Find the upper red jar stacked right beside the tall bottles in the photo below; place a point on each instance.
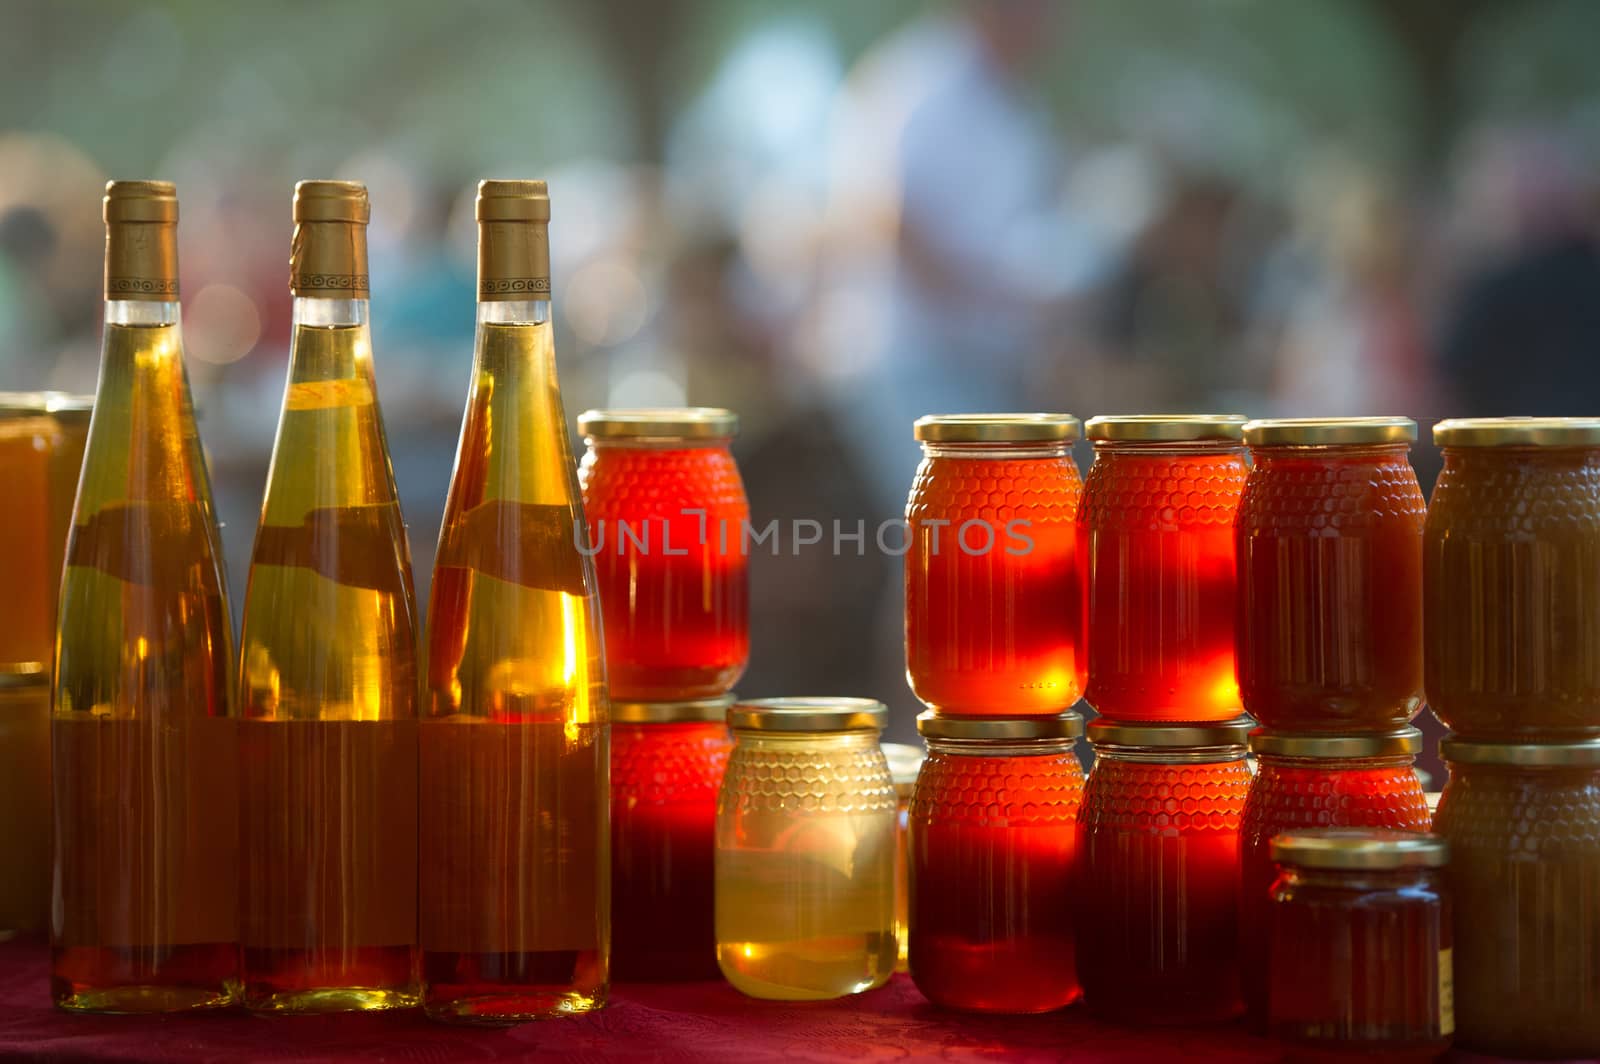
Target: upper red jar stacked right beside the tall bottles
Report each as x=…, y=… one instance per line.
x=666, y=518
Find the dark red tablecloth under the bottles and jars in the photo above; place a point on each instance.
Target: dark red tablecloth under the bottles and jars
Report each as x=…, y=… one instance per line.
x=703, y=1022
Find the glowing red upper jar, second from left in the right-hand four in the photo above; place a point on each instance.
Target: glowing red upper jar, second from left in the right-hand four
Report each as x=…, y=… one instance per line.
x=1156, y=530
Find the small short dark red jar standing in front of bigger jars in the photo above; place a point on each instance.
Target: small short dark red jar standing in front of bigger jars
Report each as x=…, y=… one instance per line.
x=1359, y=946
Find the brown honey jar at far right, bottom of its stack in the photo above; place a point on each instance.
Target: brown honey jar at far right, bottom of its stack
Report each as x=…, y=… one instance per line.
x=1524, y=830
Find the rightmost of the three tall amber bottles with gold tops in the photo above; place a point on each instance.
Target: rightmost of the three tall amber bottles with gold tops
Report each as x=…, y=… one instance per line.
x=516, y=746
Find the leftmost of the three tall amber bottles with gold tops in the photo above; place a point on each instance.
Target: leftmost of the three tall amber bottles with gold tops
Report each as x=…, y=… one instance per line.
x=145, y=911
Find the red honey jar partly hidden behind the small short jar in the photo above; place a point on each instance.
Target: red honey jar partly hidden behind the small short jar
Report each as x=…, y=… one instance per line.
x=1313, y=782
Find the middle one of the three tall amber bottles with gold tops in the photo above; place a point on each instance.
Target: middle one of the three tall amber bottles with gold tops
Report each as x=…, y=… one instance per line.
x=329, y=679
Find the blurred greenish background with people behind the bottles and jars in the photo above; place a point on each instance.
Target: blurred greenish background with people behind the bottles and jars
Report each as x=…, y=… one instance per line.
x=836, y=217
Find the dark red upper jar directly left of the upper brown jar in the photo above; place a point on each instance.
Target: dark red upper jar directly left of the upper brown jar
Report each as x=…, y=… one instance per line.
x=1330, y=575
